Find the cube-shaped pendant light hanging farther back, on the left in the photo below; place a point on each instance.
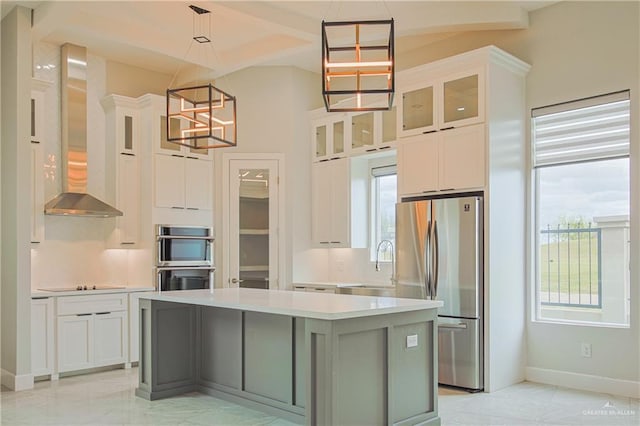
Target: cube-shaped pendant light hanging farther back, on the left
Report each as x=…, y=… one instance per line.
x=201, y=116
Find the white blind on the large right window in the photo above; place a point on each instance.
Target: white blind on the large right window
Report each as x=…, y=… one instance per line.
x=585, y=130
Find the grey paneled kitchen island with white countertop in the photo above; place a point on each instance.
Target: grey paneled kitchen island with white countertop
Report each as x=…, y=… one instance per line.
x=310, y=358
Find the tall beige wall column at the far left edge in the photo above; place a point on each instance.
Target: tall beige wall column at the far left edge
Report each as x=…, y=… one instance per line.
x=16, y=183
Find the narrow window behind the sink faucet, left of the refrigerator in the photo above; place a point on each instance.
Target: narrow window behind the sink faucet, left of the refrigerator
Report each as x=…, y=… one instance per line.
x=383, y=210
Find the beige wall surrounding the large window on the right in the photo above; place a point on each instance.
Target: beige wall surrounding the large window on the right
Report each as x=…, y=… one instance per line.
x=580, y=50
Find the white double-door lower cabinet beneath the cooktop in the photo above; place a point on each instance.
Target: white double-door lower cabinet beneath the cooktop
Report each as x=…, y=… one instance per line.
x=92, y=331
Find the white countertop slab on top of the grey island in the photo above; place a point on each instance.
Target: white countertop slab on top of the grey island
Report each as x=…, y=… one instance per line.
x=292, y=303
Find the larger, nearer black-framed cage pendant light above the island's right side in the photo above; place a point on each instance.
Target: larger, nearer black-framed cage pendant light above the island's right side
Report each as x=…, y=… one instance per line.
x=358, y=69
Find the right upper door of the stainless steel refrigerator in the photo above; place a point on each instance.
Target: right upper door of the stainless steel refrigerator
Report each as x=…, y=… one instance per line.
x=457, y=259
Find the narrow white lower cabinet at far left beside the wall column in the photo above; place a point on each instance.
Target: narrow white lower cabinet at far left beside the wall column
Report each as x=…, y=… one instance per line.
x=42, y=336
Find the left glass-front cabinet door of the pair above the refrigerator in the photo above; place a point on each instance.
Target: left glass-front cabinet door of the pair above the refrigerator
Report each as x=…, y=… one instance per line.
x=417, y=111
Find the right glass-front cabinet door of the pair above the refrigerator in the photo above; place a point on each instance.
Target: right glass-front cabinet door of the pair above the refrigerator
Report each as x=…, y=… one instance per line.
x=462, y=100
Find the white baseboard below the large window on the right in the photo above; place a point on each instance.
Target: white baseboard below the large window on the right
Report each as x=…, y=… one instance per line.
x=628, y=388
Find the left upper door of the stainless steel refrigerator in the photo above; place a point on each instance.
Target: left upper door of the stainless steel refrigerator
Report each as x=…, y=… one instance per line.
x=412, y=223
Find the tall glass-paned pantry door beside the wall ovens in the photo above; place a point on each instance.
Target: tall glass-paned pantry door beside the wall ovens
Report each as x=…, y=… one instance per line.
x=253, y=219
